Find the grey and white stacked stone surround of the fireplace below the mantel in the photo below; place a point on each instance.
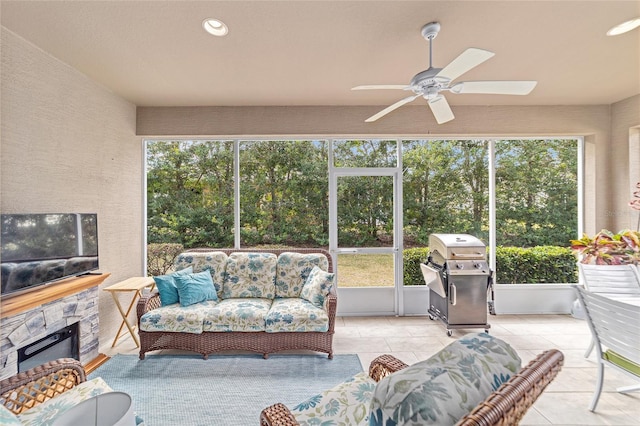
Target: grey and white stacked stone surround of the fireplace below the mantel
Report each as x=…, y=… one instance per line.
x=27, y=327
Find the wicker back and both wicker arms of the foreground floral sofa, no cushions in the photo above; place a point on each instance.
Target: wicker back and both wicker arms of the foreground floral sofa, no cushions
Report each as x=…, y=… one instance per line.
x=506, y=406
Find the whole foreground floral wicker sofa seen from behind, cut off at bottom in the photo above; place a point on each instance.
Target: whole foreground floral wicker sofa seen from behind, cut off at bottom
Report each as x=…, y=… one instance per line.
x=476, y=380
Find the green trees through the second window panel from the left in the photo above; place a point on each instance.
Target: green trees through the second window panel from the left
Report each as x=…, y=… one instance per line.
x=284, y=192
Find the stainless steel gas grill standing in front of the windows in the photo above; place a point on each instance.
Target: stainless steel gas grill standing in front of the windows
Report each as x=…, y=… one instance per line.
x=459, y=281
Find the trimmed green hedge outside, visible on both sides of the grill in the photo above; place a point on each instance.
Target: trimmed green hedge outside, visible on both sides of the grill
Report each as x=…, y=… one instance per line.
x=515, y=265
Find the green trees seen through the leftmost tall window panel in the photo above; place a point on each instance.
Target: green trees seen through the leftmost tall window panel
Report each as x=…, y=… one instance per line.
x=190, y=193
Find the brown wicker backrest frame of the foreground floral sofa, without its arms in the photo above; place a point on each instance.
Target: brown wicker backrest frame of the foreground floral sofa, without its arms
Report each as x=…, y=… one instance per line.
x=509, y=403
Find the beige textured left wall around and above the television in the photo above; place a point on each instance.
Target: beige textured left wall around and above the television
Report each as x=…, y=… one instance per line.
x=69, y=145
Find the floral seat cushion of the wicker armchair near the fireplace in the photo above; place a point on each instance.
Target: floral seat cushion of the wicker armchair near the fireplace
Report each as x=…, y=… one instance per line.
x=44, y=414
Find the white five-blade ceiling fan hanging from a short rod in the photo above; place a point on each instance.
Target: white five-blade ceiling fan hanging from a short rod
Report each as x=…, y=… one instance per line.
x=431, y=82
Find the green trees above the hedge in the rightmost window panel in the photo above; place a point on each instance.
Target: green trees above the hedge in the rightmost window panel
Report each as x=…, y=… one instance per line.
x=536, y=197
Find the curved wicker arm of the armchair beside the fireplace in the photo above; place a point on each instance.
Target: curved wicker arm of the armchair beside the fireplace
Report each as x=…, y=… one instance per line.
x=29, y=388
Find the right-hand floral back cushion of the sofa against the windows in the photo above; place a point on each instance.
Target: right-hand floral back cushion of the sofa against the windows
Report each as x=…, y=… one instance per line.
x=293, y=269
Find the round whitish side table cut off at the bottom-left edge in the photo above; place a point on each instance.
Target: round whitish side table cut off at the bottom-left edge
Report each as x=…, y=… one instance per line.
x=106, y=409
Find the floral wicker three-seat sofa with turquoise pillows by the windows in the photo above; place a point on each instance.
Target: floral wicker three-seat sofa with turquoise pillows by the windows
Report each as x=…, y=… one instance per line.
x=241, y=299
